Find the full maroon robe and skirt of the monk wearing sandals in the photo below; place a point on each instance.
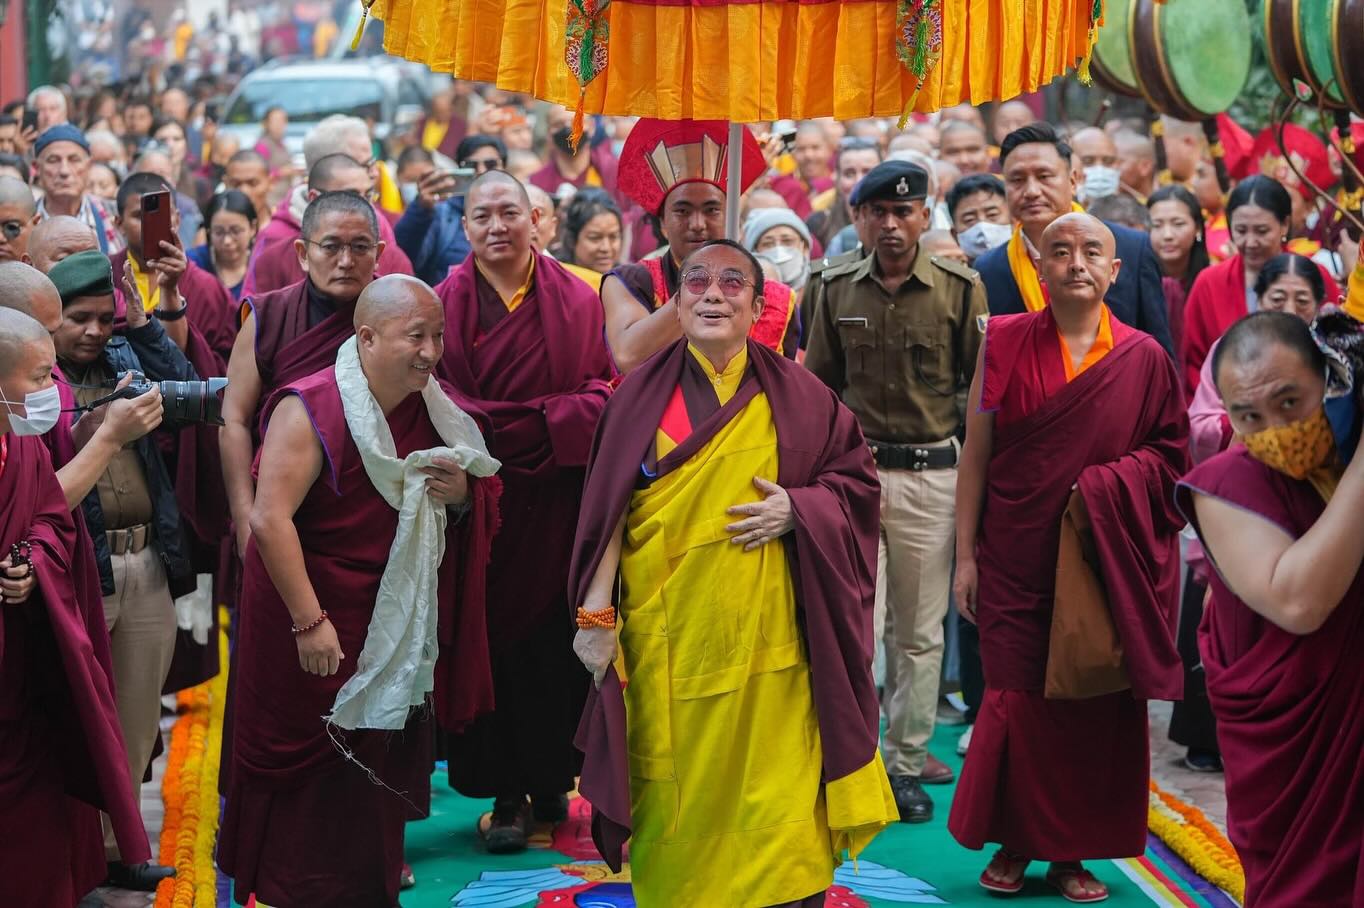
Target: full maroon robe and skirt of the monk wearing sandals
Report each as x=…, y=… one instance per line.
x=1052, y=779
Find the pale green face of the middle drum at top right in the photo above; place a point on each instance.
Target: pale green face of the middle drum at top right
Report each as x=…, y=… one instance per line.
x=1208, y=51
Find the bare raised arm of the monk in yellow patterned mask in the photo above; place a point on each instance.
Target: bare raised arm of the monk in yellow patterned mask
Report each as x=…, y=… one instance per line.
x=1295, y=584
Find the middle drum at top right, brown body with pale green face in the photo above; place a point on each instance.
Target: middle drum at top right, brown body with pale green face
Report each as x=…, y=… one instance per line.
x=1190, y=58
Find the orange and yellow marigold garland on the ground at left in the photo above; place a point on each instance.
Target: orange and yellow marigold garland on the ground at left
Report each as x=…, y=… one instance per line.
x=190, y=791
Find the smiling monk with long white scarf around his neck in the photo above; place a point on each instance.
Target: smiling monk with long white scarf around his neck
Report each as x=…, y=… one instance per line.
x=369, y=511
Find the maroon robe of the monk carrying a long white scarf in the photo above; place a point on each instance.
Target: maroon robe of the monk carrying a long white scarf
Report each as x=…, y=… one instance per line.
x=305, y=827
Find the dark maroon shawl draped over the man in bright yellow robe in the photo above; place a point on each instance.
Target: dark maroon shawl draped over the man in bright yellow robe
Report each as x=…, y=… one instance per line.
x=827, y=470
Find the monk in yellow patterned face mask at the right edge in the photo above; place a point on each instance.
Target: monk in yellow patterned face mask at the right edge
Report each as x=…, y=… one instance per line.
x=1284, y=628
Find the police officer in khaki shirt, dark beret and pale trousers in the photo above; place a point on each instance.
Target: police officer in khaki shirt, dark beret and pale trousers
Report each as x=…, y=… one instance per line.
x=897, y=335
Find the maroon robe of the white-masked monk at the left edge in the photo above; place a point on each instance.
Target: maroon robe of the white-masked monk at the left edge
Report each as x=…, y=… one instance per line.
x=62, y=752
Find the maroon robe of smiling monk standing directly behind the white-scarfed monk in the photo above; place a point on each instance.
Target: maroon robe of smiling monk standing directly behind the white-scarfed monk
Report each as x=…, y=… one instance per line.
x=541, y=374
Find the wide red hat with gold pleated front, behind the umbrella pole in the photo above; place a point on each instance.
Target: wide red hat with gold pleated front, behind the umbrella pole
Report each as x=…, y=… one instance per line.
x=662, y=155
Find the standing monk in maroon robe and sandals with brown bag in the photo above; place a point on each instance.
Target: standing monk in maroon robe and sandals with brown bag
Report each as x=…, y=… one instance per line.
x=1076, y=423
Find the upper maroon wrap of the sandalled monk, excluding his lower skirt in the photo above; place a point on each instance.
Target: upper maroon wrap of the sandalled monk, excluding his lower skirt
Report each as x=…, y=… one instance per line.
x=1119, y=433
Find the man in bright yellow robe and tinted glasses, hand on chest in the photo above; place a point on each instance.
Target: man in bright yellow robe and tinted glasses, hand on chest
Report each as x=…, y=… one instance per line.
x=751, y=721
